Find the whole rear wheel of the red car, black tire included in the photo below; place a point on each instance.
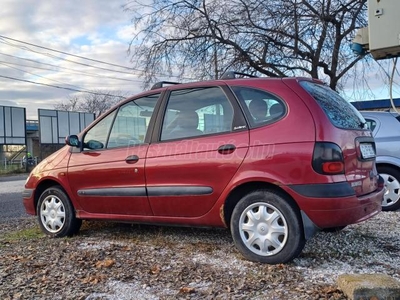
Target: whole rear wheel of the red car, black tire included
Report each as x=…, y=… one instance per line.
x=266, y=227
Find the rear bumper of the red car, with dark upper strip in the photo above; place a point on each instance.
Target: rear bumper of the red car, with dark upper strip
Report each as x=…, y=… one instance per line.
x=339, y=206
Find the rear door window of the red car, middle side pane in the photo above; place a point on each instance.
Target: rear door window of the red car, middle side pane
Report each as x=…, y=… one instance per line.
x=196, y=112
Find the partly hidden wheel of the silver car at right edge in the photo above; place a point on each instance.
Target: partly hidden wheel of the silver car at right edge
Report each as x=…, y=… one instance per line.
x=391, y=198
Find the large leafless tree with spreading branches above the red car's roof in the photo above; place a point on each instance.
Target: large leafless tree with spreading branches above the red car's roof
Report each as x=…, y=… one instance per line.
x=274, y=38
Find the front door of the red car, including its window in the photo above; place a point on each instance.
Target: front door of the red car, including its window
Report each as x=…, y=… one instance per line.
x=107, y=175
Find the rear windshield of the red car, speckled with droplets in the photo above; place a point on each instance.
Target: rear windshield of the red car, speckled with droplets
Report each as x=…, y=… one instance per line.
x=340, y=112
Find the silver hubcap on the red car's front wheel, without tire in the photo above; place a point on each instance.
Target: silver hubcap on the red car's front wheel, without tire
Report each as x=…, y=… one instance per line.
x=52, y=214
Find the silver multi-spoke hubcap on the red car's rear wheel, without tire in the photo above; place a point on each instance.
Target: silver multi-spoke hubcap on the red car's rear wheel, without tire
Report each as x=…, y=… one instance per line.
x=263, y=229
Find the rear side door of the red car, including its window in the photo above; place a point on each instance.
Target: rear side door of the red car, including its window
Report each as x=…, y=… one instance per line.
x=202, y=141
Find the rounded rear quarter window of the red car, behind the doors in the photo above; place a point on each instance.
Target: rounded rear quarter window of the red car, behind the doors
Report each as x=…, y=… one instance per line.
x=260, y=107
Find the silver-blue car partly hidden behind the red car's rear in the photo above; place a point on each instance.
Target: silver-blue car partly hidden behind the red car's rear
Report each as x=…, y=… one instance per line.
x=385, y=128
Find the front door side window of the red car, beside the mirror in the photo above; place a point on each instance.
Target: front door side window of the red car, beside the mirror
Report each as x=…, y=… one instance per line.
x=124, y=127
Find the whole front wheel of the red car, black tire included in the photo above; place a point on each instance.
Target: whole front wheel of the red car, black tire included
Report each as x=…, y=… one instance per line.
x=56, y=214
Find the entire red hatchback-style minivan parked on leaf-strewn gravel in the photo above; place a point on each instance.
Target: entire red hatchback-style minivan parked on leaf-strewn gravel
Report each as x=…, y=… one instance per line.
x=272, y=159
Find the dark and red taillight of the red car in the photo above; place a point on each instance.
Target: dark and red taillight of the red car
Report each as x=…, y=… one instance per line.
x=328, y=159
